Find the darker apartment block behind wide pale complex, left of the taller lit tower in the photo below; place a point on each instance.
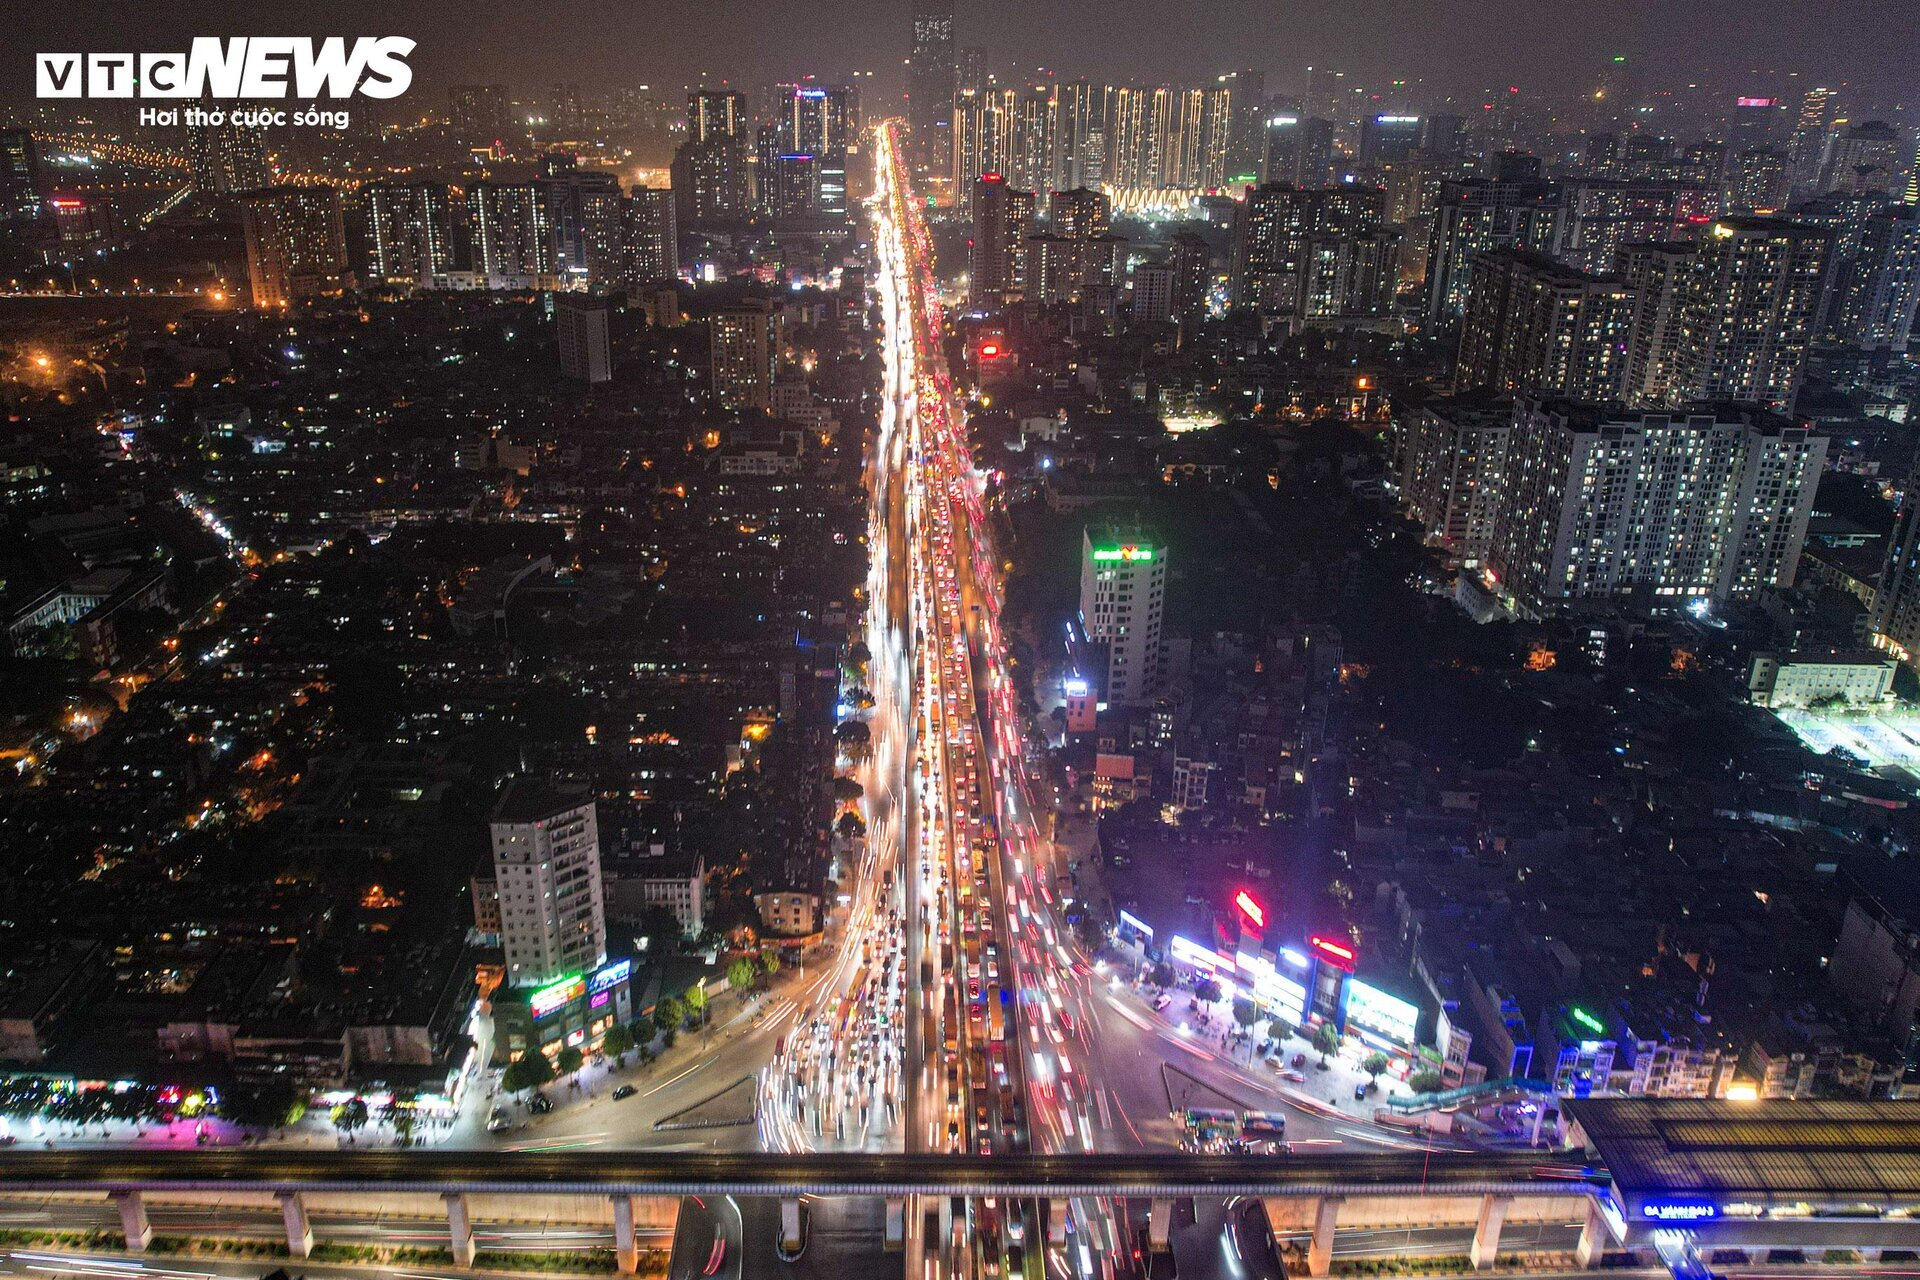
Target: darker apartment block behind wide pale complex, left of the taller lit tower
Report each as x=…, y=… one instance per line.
x=1535, y=325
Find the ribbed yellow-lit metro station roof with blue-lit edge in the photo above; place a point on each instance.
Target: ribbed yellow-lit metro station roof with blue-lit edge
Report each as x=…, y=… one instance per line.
x=1769, y=1150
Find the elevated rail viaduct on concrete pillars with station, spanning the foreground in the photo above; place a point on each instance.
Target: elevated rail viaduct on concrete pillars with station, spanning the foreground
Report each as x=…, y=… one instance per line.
x=1646, y=1172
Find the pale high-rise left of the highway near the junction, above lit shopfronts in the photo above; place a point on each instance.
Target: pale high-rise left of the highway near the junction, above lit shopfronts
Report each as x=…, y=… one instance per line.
x=546, y=865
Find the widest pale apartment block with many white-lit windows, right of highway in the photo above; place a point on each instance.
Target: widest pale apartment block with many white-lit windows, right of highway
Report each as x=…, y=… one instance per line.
x=1606, y=508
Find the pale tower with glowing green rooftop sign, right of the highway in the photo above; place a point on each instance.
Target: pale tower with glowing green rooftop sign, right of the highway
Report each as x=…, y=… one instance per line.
x=1124, y=581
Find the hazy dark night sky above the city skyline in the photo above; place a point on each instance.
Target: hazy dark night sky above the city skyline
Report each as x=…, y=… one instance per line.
x=1454, y=45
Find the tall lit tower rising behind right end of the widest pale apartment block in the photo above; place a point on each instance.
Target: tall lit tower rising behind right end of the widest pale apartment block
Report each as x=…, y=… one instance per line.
x=1752, y=304
